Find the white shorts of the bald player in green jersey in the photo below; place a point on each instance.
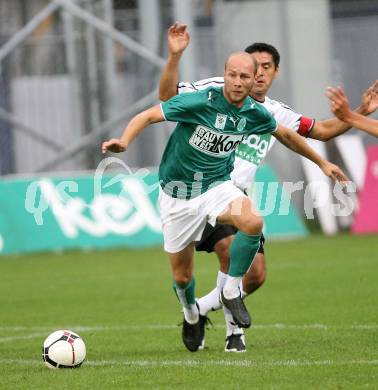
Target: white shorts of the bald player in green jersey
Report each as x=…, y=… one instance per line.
x=183, y=221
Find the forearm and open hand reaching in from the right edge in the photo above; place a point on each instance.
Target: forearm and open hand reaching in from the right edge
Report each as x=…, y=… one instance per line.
x=340, y=107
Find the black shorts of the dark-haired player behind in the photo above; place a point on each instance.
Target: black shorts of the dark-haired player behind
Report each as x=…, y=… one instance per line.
x=212, y=234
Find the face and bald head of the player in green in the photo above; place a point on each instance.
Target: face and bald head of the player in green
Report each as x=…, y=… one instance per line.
x=238, y=81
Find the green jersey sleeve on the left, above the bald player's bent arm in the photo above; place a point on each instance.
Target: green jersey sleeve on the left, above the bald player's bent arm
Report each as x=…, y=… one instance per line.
x=183, y=108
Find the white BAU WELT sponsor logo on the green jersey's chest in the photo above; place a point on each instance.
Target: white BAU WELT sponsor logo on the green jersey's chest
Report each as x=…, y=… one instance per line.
x=214, y=143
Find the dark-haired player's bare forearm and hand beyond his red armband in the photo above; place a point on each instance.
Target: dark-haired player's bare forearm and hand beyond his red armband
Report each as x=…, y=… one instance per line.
x=330, y=128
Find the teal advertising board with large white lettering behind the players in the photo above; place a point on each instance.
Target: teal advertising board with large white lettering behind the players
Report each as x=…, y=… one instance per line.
x=91, y=212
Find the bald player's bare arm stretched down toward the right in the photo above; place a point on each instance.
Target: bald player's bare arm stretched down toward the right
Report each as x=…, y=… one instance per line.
x=296, y=143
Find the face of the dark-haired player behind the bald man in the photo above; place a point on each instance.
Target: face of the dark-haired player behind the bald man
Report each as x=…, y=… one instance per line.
x=265, y=74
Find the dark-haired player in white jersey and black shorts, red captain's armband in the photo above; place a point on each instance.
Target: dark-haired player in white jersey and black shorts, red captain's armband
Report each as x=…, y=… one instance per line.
x=249, y=155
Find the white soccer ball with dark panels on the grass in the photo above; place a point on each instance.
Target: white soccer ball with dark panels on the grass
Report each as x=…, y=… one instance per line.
x=63, y=349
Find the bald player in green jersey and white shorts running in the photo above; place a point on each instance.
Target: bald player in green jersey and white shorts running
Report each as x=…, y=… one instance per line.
x=195, y=181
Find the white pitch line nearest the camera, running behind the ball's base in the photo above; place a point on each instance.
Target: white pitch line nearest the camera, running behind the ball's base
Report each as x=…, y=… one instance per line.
x=204, y=363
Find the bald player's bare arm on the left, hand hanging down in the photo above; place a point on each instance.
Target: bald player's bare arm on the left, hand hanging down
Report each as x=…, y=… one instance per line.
x=133, y=129
